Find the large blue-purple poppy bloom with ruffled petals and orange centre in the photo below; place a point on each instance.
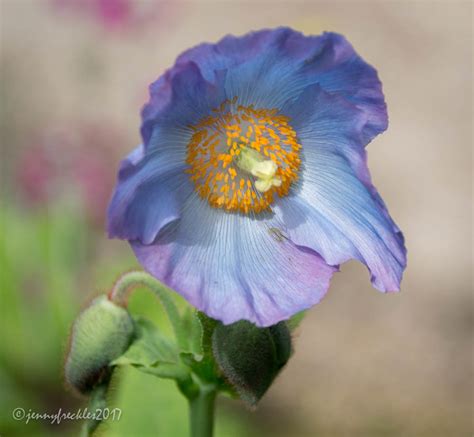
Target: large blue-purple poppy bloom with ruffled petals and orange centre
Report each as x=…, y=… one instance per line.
x=251, y=185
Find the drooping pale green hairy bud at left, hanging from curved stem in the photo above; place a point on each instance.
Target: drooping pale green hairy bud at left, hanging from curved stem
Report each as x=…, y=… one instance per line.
x=101, y=333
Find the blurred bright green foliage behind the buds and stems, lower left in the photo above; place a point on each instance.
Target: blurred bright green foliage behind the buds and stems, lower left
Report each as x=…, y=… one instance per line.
x=40, y=299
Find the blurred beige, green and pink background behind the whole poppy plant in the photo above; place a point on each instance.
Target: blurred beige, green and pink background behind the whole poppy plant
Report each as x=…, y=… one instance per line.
x=74, y=77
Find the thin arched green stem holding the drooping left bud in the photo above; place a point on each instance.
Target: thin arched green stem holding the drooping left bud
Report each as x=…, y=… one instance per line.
x=132, y=279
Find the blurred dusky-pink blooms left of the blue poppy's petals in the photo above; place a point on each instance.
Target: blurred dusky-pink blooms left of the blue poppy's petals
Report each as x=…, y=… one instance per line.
x=73, y=161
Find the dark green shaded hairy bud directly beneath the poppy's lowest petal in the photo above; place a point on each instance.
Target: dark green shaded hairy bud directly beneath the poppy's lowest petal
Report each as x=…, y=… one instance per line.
x=249, y=357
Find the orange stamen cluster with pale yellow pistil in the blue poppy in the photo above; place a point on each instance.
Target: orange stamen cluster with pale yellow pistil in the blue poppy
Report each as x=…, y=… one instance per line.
x=241, y=157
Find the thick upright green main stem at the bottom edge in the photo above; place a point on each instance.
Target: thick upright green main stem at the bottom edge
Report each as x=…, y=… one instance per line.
x=201, y=412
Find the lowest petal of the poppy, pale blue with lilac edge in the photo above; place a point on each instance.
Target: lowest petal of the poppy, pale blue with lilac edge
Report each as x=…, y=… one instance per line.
x=234, y=268
